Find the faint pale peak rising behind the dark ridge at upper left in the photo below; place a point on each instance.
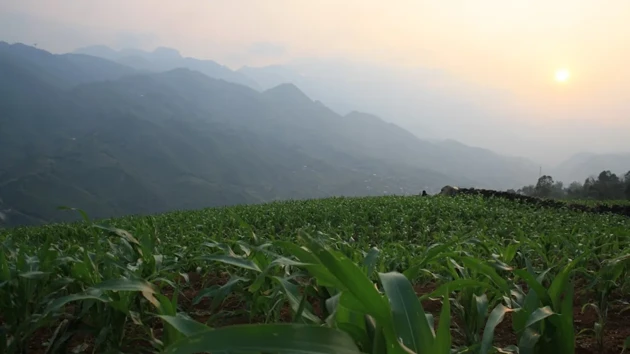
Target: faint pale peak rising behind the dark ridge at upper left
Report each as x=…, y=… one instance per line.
x=164, y=59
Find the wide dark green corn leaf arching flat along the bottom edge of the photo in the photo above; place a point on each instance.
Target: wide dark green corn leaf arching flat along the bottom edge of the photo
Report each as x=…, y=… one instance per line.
x=276, y=338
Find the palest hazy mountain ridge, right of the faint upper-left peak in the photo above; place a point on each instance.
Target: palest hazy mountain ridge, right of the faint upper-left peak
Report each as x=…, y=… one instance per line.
x=427, y=102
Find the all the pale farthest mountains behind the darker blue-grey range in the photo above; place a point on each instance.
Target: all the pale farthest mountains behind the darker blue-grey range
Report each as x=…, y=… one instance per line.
x=346, y=87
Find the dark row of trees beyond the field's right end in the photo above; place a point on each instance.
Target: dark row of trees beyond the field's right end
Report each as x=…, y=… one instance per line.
x=607, y=186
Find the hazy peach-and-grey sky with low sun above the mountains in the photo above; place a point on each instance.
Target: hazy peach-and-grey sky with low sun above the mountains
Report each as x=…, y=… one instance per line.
x=514, y=46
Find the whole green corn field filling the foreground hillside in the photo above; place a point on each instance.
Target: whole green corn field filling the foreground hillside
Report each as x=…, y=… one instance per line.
x=341, y=275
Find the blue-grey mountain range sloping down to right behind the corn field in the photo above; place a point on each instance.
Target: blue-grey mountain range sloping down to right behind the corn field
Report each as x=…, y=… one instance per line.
x=133, y=132
